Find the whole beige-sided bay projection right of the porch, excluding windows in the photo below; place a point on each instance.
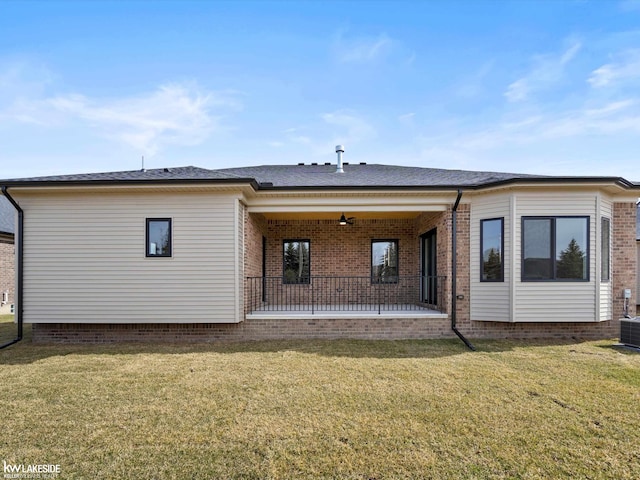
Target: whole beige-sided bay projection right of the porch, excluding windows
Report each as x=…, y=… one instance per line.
x=546, y=301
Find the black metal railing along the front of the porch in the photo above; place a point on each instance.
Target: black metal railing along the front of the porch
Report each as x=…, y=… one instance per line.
x=322, y=294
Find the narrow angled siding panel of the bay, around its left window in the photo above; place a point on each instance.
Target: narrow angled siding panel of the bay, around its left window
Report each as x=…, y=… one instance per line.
x=490, y=301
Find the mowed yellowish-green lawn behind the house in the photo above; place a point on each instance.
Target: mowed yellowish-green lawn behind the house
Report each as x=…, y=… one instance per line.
x=315, y=409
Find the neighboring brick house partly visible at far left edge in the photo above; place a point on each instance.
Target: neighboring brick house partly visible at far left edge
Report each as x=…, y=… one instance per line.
x=7, y=255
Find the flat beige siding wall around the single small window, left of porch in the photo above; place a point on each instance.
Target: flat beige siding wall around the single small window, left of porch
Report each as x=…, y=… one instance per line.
x=84, y=258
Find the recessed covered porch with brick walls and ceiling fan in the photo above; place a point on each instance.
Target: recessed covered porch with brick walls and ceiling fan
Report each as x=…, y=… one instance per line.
x=390, y=259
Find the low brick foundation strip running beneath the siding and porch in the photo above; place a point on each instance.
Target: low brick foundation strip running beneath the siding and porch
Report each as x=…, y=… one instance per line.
x=276, y=329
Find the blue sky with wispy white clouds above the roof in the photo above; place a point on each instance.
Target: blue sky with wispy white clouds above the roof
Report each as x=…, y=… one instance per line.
x=545, y=87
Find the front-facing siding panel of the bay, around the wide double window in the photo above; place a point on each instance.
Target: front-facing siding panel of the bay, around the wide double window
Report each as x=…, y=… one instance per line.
x=554, y=301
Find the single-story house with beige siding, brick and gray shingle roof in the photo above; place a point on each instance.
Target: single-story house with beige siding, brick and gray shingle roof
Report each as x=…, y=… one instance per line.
x=301, y=251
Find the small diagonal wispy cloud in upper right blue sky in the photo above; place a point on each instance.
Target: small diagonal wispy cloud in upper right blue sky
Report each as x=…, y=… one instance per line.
x=548, y=70
